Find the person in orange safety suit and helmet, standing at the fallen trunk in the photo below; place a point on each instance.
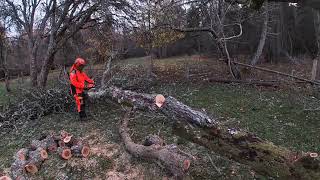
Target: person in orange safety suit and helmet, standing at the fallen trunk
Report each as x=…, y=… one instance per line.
x=80, y=82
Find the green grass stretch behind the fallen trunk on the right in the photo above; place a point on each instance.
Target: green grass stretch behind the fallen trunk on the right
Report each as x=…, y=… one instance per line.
x=278, y=116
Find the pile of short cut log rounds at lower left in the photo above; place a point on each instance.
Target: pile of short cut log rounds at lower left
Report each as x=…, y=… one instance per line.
x=29, y=160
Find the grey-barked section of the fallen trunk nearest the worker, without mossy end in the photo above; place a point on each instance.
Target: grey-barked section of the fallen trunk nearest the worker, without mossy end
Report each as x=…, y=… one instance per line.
x=172, y=108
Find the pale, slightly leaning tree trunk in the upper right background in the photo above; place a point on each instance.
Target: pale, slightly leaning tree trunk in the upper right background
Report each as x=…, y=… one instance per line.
x=263, y=37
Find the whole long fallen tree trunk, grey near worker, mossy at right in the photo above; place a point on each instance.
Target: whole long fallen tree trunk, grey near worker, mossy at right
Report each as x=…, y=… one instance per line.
x=263, y=157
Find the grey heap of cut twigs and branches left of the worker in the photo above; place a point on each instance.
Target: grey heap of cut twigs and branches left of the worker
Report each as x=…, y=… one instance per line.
x=35, y=104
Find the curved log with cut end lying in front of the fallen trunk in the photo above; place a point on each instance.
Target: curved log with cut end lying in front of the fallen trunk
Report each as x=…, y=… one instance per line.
x=178, y=164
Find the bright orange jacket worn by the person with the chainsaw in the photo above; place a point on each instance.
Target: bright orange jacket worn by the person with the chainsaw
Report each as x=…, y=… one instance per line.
x=78, y=79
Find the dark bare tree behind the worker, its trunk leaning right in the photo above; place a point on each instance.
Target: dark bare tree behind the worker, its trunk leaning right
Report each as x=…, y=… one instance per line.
x=67, y=18
